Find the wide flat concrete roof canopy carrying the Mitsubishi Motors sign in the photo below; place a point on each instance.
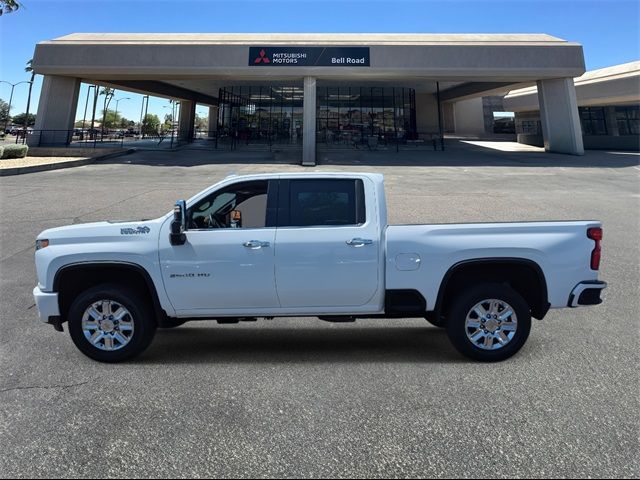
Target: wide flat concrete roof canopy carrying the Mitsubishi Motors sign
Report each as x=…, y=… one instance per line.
x=186, y=65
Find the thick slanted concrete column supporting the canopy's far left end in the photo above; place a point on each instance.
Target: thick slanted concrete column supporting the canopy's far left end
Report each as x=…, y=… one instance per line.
x=56, y=111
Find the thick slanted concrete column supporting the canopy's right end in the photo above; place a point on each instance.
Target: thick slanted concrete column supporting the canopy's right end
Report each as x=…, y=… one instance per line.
x=559, y=116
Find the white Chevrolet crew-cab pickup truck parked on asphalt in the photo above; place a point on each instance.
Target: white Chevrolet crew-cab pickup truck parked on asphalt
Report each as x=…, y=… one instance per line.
x=309, y=245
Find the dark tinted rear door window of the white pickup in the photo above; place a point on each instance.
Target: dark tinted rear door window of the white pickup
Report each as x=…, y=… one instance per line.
x=325, y=203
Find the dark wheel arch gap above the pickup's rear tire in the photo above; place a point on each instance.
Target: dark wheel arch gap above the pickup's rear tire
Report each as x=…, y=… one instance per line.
x=523, y=275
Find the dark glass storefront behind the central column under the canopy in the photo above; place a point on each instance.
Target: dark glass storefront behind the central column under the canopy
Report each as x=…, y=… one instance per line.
x=344, y=115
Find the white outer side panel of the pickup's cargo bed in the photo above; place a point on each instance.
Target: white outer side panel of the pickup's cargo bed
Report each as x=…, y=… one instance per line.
x=419, y=256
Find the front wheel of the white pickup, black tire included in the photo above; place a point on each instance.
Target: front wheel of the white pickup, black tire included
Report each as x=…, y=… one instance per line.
x=125, y=329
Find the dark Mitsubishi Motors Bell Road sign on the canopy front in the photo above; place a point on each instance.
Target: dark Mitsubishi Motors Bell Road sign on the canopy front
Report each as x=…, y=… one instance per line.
x=309, y=56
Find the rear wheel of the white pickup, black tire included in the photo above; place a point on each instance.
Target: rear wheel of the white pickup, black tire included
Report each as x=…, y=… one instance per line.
x=489, y=322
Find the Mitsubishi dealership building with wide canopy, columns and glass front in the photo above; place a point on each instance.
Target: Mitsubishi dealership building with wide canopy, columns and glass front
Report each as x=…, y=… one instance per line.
x=310, y=89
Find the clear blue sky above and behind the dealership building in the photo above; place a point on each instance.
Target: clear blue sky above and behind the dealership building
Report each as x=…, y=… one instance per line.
x=607, y=29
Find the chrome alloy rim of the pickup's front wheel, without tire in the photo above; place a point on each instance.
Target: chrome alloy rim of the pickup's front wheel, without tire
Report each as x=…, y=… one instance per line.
x=107, y=325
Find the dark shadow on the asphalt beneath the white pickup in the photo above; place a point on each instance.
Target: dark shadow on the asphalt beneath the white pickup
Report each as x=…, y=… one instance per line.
x=338, y=344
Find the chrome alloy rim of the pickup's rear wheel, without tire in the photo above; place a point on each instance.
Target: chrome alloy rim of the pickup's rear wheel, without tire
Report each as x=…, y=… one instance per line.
x=491, y=324
